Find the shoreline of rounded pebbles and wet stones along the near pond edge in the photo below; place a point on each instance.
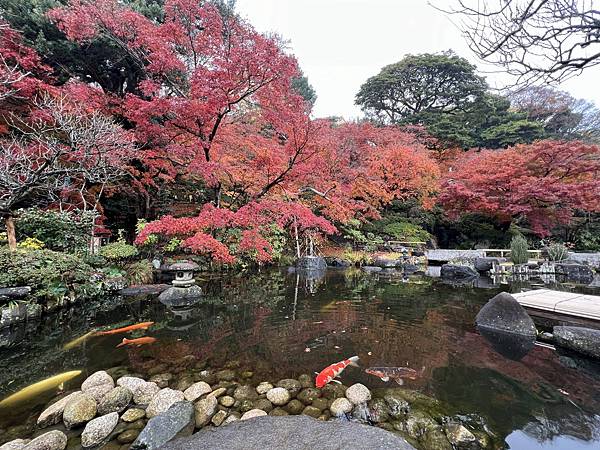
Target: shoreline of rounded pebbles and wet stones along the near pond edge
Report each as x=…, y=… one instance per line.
x=117, y=410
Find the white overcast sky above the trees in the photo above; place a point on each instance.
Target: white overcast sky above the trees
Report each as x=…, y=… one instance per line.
x=340, y=43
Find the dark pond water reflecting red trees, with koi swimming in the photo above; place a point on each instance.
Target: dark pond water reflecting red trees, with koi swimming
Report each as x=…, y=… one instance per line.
x=280, y=325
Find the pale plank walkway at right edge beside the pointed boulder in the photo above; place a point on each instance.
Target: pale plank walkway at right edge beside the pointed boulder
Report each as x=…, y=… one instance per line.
x=566, y=303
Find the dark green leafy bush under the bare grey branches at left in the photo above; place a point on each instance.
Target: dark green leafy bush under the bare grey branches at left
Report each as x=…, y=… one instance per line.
x=60, y=231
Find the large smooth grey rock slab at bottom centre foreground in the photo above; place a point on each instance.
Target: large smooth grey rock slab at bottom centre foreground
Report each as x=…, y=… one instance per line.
x=291, y=433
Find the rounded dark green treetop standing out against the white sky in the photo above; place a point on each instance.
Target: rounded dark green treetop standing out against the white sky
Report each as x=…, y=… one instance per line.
x=426, y=83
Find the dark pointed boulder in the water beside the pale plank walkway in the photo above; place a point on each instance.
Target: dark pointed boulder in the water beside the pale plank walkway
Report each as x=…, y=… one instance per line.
x=503, y=313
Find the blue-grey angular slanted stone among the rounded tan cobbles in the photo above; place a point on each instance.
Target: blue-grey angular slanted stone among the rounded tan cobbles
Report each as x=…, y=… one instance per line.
x=177, y=421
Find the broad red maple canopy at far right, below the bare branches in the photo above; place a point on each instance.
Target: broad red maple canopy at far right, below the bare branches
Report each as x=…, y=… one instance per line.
x=542, y=183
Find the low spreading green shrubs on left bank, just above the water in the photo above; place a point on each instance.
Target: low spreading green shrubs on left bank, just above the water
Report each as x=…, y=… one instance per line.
x=51, y=275
